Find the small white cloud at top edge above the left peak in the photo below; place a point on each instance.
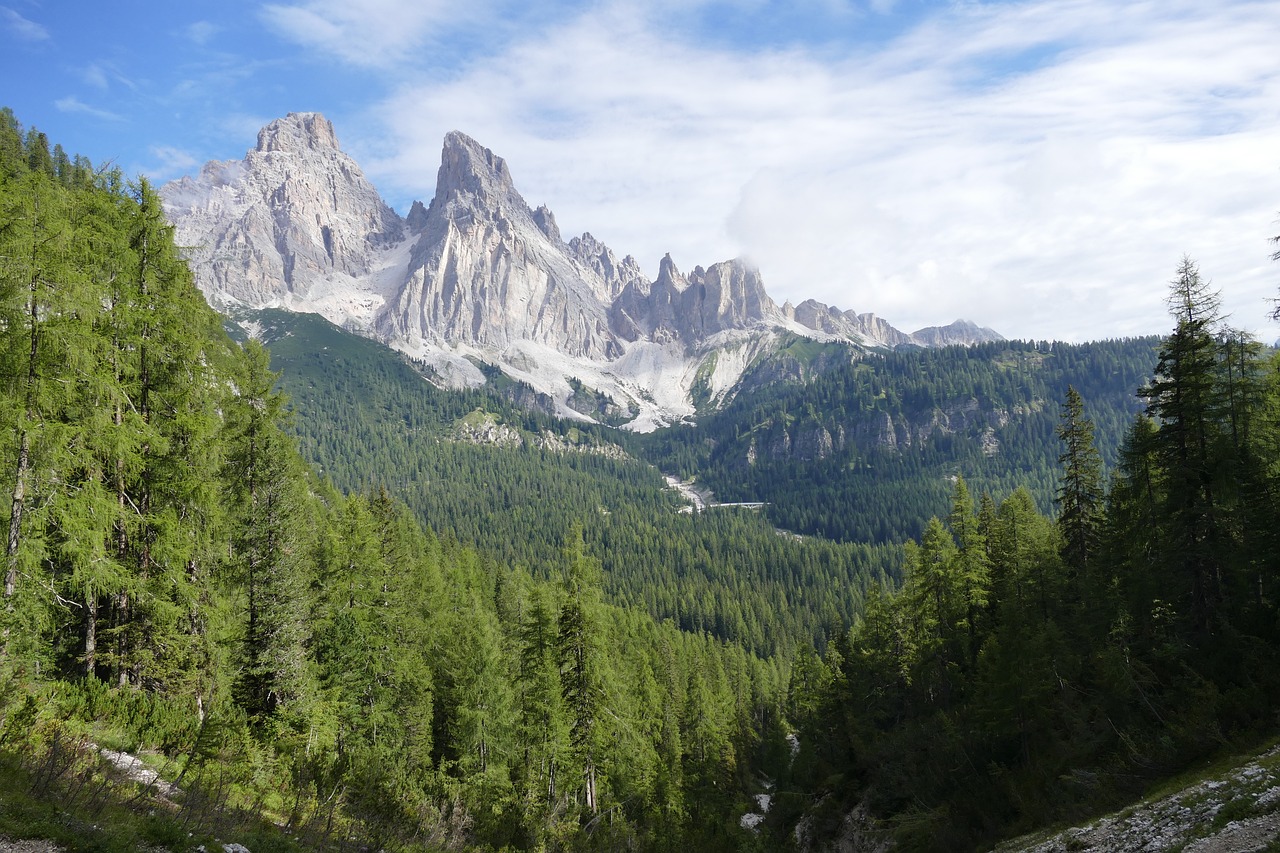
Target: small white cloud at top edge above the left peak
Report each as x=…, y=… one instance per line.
x=367, y=33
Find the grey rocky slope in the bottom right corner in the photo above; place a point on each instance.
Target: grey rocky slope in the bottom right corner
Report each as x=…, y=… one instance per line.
x=1235, y=811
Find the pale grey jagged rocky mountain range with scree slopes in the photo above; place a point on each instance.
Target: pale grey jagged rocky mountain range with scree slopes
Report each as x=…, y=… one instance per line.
x=479, y=277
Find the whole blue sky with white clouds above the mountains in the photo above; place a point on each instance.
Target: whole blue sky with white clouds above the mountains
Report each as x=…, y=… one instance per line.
x=1037, y=167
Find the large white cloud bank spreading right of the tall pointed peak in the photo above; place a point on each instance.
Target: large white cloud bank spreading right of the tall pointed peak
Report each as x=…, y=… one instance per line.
x=1035, y=167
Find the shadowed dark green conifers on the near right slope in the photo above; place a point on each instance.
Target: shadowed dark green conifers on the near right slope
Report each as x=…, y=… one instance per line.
x=1066, y=664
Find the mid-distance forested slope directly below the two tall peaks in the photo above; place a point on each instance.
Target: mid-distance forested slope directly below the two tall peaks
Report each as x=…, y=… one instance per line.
x=726, y=572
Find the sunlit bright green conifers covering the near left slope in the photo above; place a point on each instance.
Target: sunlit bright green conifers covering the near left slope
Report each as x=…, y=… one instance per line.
x=312, y=670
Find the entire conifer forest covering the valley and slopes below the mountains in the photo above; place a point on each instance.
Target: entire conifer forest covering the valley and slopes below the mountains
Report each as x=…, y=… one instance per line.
x=342, y=626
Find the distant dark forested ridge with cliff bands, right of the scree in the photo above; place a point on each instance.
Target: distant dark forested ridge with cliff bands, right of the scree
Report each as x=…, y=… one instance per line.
x=865, y=448
